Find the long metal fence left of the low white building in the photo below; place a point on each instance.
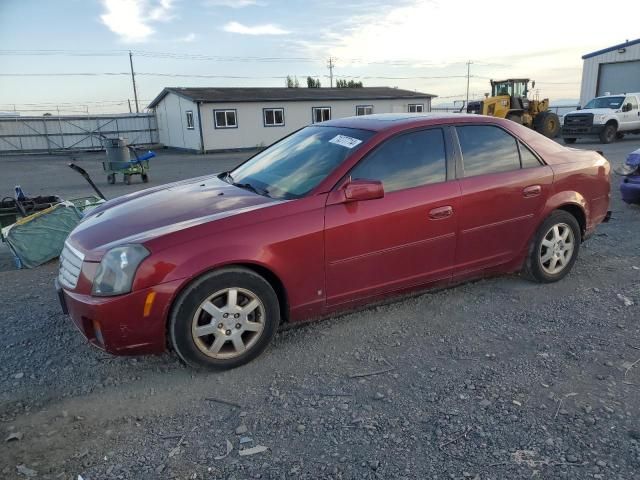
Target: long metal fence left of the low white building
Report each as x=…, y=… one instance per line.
x=49, y=134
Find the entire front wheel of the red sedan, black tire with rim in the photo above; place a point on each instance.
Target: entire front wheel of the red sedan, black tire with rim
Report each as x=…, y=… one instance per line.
x=217, y=346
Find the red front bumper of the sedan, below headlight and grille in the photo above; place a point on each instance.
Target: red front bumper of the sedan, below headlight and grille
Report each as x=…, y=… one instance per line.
x=128, y=324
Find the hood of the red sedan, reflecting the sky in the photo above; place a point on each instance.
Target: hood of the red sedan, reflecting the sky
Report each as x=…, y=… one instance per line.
x=154, y=212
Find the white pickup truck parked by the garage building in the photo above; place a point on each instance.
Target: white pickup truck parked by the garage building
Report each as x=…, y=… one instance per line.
x=608, y=118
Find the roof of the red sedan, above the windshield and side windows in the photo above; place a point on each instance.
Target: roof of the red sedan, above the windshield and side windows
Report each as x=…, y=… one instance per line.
x=399, y=121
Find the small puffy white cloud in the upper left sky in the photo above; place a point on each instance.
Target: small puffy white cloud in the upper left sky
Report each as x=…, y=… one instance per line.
x=131, y=19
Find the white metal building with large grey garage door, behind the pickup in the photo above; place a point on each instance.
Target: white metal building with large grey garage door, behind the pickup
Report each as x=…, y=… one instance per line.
x=611, y=70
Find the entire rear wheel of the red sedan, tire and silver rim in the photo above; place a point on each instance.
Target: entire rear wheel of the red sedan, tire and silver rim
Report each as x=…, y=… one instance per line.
x=538, y=269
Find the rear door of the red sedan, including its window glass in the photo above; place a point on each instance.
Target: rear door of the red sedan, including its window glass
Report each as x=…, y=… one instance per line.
x=504, y=186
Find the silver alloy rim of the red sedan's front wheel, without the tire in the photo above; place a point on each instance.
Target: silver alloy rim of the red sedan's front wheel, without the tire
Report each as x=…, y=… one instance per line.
x=228, y=323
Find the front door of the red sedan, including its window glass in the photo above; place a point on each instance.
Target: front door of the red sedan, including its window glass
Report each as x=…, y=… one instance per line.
x=406, y=238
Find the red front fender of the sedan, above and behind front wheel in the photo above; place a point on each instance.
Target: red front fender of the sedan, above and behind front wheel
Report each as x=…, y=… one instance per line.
x=286, y=239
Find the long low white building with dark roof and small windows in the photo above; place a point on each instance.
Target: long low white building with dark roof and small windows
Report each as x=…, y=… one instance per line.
x=213, y=119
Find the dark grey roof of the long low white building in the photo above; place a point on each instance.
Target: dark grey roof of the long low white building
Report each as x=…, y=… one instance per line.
x=283, y=94
